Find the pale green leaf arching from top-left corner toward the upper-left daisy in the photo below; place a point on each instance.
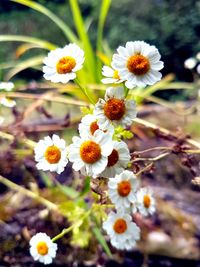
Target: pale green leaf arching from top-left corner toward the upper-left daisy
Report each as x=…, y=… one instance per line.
x=60, y=23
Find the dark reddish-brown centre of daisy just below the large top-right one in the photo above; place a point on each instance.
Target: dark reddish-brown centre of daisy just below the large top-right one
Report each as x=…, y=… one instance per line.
x=114, y=109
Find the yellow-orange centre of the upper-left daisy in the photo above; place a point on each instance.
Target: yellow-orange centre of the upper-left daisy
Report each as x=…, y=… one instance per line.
x=65, y=65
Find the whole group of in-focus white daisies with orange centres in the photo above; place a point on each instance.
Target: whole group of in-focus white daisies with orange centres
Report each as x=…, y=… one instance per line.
x=96, y=152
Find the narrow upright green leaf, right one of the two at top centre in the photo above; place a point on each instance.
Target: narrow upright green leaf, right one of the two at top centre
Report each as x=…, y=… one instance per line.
x=102, y=17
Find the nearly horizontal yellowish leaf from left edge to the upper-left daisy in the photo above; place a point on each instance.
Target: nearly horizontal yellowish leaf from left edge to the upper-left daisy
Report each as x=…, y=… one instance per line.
x=27, y=39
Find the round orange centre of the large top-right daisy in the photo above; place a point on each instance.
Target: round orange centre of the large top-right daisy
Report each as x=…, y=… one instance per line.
x=138, y=64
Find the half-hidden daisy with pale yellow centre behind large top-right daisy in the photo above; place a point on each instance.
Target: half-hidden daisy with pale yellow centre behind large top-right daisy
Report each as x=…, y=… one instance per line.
x=112, y=76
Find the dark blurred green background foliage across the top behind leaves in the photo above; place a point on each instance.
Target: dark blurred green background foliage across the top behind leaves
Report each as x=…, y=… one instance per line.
x=173, y=26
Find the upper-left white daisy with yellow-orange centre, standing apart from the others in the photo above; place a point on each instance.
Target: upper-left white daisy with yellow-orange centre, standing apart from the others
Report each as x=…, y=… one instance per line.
x=62, y=64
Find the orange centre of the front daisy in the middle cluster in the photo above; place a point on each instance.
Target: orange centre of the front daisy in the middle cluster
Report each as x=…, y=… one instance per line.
x=90, y=152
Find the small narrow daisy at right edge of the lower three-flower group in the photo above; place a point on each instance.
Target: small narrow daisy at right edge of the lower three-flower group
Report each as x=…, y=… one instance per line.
x=145, y=202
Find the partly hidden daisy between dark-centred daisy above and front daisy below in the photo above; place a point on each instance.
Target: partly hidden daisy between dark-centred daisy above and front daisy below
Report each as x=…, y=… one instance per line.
x=89, y=125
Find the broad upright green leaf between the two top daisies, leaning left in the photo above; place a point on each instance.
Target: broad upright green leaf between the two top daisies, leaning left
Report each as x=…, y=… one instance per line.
x=89, y=53
